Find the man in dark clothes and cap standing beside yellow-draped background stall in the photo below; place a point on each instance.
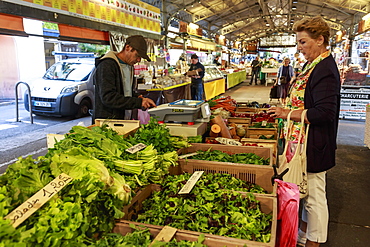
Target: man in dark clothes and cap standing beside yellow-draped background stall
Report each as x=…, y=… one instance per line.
x=197, y=74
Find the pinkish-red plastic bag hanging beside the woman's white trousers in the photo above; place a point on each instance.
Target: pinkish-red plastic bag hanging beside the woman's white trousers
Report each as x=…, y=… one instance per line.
x=288, y=206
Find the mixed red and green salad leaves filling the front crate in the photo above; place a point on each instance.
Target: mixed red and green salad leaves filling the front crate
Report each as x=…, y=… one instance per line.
x=207, y=209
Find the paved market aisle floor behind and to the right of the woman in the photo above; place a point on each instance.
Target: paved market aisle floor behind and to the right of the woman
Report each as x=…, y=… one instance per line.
x=348, y=182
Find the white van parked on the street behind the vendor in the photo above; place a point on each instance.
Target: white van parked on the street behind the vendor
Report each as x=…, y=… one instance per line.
x=64, y=90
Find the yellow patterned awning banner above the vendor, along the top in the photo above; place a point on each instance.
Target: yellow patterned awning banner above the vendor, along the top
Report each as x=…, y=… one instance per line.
x=130, y=14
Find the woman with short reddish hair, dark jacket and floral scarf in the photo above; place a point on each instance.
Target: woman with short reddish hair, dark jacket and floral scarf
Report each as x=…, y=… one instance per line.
x=316, y=89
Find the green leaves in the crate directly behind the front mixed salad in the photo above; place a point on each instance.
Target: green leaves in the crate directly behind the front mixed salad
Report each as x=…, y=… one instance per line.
x=243, y=158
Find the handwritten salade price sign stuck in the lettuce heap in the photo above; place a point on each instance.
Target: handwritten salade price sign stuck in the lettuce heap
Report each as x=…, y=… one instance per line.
x=21, y=213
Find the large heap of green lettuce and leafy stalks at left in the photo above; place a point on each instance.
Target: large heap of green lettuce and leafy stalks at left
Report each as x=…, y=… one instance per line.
x=104, y=175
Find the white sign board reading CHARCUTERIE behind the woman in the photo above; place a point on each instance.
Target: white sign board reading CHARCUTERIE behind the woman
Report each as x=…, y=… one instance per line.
x=353, y=105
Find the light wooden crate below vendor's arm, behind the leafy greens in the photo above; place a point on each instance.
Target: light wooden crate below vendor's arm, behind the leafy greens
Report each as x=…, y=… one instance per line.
x=122, y=127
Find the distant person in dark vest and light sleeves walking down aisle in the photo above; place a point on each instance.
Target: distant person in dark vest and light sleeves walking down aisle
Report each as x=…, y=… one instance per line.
x=284, y=78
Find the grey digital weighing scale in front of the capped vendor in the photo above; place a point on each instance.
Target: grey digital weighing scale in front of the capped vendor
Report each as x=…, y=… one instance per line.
x=182, y=110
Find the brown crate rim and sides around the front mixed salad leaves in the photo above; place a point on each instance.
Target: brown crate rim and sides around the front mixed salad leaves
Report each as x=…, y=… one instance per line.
x=268, y=206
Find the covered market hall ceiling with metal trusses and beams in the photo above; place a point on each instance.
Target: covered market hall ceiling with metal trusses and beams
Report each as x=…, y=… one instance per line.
x=253, y=19
